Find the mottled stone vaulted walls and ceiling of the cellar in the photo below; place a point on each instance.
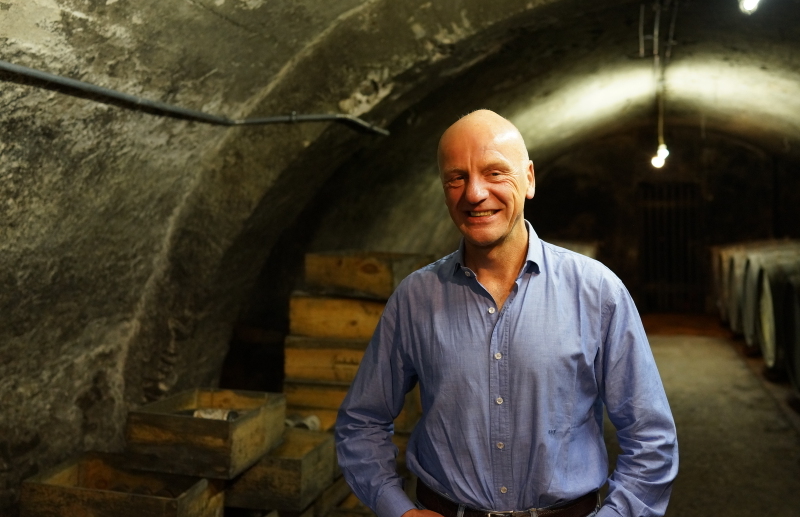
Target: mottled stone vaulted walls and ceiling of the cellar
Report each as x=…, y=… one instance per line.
x=134, y=246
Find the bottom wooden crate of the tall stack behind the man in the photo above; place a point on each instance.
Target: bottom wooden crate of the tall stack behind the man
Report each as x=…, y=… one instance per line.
x=305, y=397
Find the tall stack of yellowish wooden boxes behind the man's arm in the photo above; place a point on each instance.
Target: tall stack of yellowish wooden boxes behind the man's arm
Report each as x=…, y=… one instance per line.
x=331, y=322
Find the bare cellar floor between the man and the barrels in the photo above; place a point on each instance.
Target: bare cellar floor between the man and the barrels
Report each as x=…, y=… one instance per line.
x=738, y=436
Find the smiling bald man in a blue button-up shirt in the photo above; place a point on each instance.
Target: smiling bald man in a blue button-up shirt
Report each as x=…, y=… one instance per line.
x=516, y=345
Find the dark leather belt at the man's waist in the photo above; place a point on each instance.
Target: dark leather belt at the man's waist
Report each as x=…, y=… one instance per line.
x=580, y=507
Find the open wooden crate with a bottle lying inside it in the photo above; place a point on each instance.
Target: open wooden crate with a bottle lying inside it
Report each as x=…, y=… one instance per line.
x=160, y=438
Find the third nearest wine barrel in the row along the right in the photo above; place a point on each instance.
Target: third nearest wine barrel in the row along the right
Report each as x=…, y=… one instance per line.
x=767, y=257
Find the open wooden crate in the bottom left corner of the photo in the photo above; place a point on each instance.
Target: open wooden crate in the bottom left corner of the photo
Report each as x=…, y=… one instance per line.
x=101, y=485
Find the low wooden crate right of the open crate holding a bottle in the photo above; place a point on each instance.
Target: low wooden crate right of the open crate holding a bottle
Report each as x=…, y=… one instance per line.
x=289, y=477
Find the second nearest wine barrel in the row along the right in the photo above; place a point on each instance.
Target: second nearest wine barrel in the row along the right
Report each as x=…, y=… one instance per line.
x=773, y=330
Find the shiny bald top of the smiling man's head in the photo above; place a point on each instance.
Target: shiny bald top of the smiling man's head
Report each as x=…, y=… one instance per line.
x=483, y=127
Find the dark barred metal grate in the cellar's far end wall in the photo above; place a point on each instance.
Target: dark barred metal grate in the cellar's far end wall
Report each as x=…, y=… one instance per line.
x=671, y=246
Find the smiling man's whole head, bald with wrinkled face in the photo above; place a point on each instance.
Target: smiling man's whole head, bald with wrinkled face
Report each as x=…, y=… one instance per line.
x=486, y=175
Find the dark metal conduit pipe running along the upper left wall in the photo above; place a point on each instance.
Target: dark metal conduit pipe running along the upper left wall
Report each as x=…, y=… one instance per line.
x=107, y=96
